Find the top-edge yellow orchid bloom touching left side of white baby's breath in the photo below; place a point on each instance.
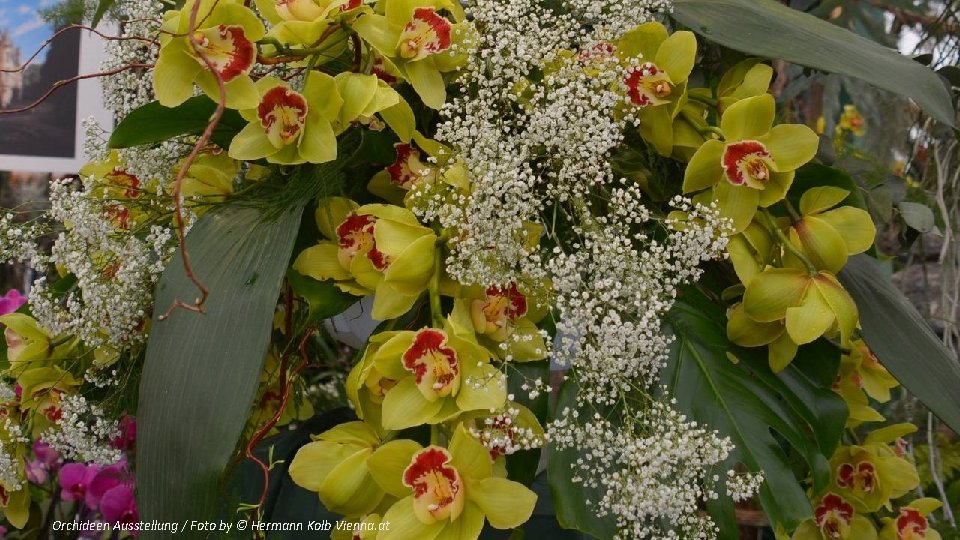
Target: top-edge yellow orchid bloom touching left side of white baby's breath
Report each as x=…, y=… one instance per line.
x=415, y=39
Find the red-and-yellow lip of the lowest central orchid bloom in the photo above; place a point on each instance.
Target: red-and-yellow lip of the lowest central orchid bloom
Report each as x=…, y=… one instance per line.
x=437, y=488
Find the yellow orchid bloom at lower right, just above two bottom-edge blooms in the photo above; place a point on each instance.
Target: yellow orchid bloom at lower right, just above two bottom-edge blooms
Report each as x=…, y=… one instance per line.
x=871, y=474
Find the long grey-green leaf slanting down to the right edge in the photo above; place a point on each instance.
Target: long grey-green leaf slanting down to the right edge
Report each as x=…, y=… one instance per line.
x=903, y=341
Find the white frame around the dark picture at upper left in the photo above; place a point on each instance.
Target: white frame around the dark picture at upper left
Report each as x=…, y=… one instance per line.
x=89, y=104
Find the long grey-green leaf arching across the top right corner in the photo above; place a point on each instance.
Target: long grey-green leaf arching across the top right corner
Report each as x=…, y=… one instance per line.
x=769, y=29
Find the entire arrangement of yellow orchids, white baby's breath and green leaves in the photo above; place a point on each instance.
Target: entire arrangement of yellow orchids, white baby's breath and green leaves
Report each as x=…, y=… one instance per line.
x=589, y=251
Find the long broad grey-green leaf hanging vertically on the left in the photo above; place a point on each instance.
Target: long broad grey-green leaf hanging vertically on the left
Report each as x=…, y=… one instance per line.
x=202, y=370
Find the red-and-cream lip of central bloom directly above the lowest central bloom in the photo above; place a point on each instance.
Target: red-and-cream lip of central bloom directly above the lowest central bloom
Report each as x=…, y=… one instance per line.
x=436, y=367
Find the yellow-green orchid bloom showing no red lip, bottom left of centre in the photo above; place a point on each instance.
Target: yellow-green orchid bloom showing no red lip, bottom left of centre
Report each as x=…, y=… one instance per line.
x=335, y=466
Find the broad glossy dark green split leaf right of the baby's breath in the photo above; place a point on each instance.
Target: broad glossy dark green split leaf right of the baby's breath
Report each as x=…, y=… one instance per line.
x=748, y=403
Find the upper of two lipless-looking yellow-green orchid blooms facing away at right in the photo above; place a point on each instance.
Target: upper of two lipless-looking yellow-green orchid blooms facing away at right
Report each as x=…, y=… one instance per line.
x=828, y=235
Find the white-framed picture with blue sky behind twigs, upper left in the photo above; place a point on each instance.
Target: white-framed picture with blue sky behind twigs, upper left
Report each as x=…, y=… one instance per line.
x=48, y=137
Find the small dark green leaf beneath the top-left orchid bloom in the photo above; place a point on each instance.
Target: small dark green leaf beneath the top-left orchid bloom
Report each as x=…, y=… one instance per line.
x=153, y=123
